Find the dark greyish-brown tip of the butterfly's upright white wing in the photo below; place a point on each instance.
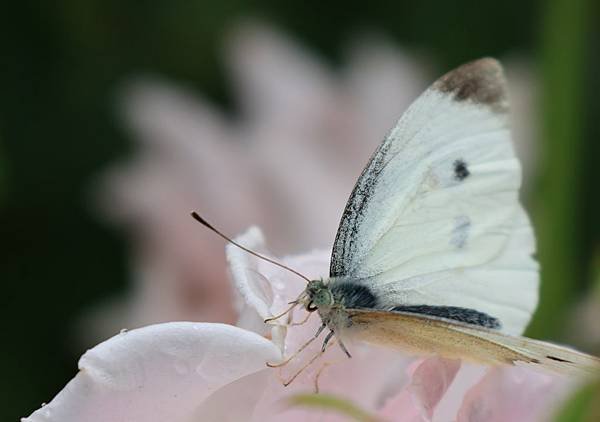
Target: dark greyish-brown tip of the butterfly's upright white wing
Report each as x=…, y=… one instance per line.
x=481, y=81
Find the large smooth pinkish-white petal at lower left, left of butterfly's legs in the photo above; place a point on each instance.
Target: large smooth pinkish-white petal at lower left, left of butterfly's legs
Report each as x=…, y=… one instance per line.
x=162, y=372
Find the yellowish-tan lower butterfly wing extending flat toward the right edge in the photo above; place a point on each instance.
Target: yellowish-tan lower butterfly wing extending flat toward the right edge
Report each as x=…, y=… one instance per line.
x=421, y=334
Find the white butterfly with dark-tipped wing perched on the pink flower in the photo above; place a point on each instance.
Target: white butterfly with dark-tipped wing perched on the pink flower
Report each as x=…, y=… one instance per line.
x=434, y=252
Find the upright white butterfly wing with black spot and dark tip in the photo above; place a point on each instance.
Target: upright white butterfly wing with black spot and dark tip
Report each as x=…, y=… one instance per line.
x=435, y=218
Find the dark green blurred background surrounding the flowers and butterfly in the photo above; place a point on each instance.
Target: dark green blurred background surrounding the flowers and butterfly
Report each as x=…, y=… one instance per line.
x=62, y=62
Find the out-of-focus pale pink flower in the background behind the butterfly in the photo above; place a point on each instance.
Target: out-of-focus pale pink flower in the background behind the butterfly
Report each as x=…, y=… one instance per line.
x=287, y=162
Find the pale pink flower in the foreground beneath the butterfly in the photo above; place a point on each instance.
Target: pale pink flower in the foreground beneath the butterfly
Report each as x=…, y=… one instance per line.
x=185, y=371
